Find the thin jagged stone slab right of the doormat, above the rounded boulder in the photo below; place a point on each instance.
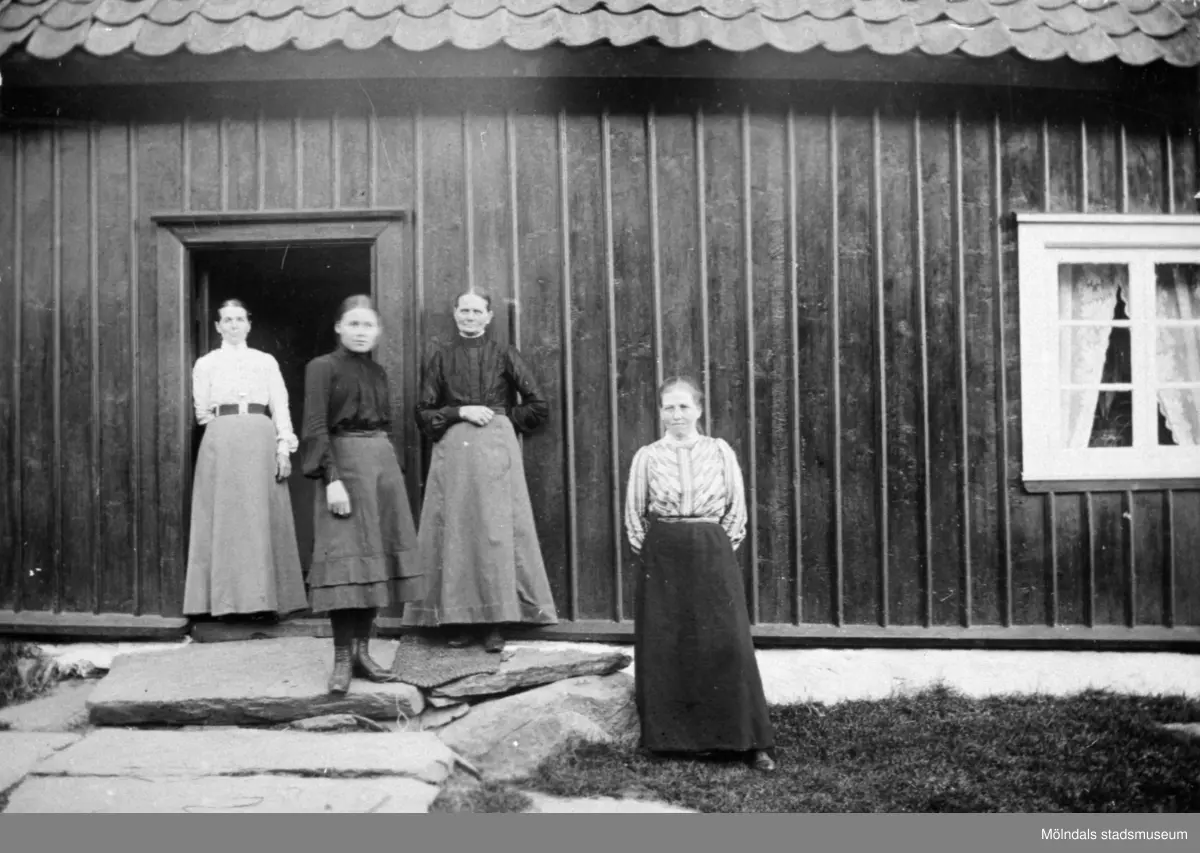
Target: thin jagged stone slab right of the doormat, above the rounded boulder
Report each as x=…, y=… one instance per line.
x=530, y=668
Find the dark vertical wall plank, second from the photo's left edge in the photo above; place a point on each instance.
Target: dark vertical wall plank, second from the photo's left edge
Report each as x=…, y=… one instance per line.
x=38, y=382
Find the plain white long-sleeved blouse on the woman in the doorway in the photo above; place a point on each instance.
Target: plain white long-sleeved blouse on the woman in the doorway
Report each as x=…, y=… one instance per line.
x=236, y=374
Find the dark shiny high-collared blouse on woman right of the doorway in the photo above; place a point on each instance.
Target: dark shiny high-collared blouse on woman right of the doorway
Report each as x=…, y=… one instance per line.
x=477, y=371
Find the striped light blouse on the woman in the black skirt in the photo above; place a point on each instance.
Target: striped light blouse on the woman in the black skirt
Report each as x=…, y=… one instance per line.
x=699, y=479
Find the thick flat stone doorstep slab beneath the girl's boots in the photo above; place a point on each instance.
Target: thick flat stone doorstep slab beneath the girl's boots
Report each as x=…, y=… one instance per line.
x=257, y=682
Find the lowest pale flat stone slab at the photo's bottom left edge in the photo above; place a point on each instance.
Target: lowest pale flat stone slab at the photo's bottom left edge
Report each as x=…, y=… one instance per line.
x=215, y=795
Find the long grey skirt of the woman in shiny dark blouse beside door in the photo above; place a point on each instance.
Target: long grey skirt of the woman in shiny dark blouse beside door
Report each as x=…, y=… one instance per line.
x=479, y=548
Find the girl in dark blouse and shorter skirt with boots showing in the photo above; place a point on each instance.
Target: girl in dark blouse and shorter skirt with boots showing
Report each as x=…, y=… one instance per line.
x=364, y=537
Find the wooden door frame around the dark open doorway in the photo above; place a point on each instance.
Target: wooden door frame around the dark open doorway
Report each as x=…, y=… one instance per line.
x=386, y=231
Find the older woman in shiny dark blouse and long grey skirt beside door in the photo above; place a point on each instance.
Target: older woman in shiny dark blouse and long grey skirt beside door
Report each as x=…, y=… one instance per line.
x=478, y=545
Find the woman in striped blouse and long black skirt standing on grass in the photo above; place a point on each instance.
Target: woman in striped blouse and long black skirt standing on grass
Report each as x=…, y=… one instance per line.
x=697, y=678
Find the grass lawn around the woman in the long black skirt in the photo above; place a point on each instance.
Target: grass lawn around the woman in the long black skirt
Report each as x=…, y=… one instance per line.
x=931, y=753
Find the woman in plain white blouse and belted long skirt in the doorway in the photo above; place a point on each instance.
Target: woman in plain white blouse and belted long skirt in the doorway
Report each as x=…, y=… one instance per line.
x=243, y=558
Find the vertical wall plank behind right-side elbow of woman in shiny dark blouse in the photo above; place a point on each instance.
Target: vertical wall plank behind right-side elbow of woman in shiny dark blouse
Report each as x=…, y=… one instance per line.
x=542, y=338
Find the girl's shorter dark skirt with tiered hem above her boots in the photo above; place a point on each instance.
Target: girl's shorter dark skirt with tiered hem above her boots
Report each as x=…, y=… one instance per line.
x=369, y=558
